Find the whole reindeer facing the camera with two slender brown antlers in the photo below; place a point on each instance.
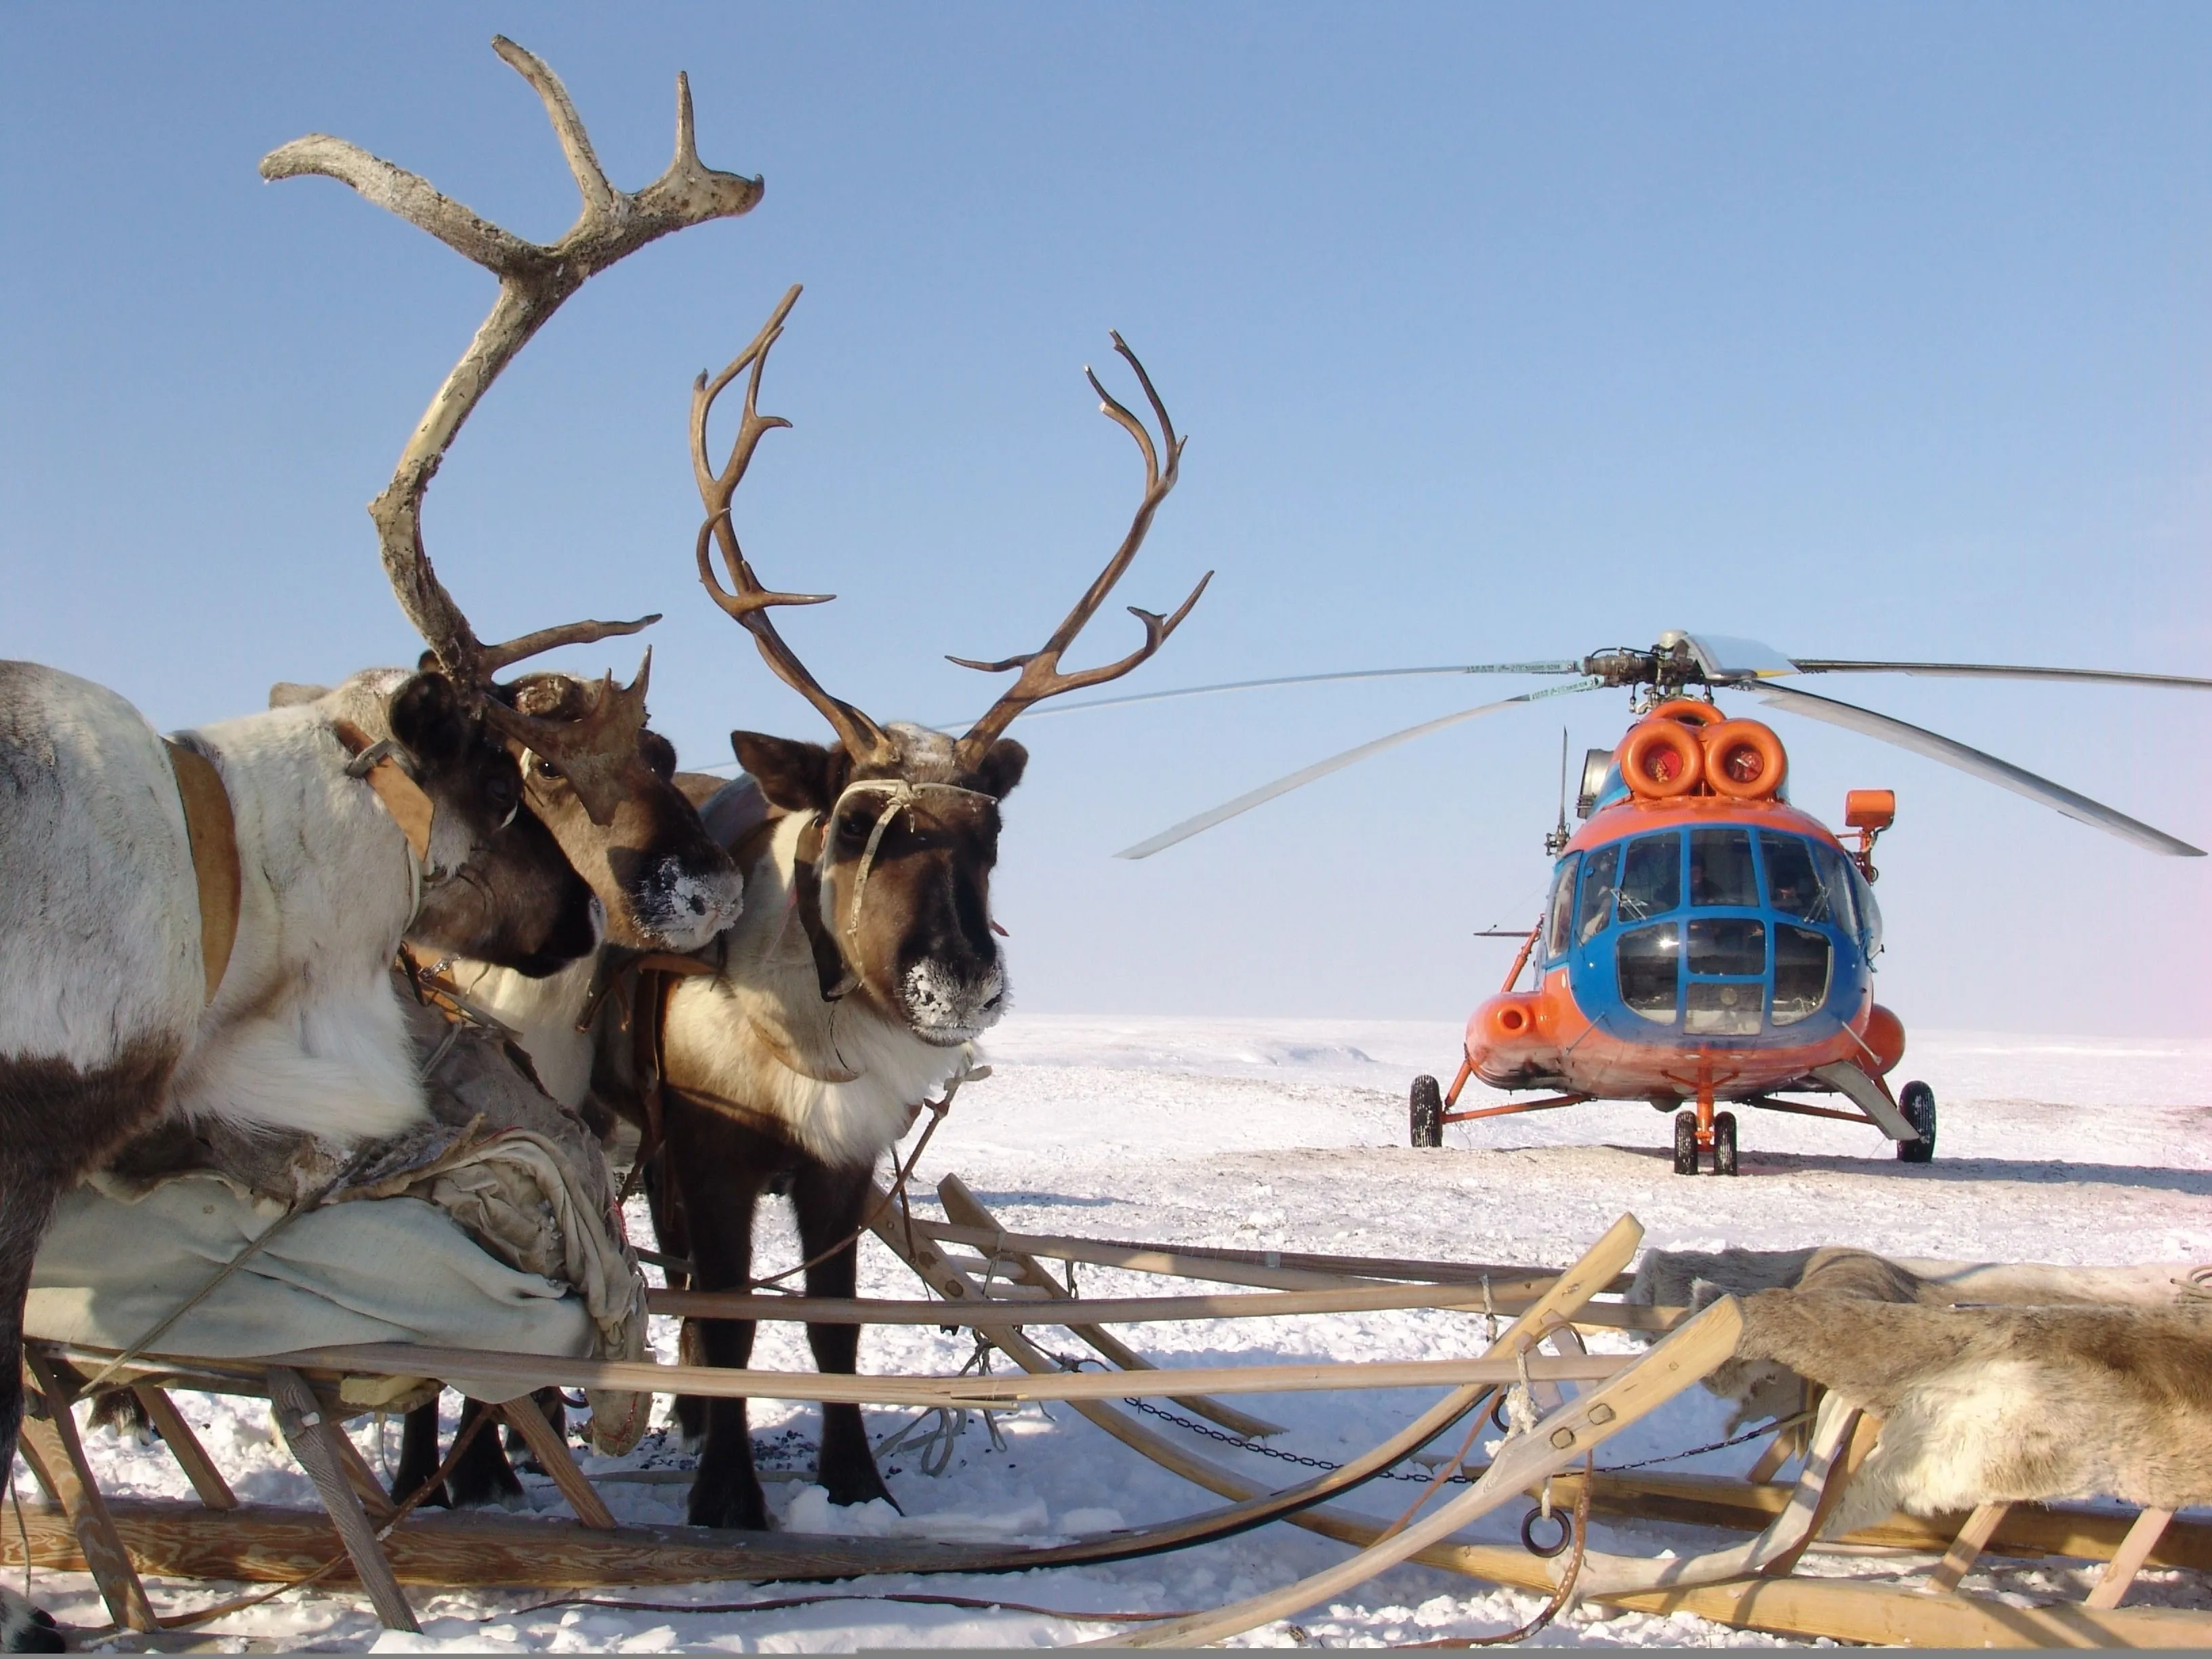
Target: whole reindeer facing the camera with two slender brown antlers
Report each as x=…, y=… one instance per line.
x=864, y=963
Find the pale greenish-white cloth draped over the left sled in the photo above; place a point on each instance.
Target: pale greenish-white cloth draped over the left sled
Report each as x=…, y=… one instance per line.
x=386, y=1271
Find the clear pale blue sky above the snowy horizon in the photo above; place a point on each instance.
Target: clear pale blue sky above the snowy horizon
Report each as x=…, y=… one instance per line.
x=1499, y=333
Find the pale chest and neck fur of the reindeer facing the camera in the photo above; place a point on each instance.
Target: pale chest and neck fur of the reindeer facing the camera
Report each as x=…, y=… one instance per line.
x=837, y=1078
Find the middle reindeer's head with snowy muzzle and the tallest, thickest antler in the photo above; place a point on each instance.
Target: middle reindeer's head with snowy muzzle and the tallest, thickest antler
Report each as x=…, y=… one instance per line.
x=585, y=753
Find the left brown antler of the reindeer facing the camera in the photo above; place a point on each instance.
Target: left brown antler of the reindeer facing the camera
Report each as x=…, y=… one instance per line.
x=747, y=601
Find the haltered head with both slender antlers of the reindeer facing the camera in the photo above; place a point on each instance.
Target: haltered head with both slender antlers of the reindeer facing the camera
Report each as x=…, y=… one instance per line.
x=895, y=870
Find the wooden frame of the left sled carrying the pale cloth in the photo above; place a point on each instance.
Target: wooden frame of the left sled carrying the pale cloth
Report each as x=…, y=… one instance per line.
x=79, y=1530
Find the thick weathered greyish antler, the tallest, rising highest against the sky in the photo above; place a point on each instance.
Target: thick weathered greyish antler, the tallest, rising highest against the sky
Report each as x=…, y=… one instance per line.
x=534, y=282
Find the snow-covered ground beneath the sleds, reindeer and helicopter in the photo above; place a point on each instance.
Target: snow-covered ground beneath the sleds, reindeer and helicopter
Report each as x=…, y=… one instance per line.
x=1293, y=1134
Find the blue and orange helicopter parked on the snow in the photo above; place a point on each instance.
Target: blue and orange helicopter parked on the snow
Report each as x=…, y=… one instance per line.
x=1707, y=941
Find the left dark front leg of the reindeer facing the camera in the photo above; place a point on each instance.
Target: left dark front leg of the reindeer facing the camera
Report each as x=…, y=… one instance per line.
x=718, y=1171
